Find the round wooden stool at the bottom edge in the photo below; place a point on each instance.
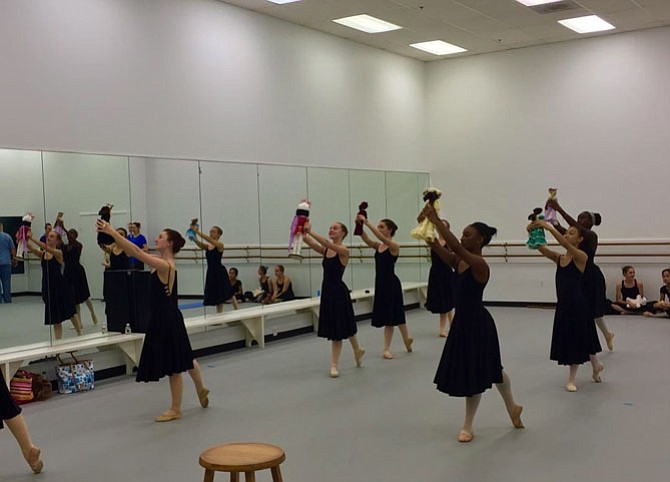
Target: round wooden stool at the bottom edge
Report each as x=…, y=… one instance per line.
x=242, y=457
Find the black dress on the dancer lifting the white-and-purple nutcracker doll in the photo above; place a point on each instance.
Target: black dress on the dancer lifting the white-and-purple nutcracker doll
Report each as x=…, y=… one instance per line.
x=336, y=313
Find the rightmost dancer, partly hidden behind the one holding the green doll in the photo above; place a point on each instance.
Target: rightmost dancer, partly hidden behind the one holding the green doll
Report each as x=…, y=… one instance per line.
x=593, y=281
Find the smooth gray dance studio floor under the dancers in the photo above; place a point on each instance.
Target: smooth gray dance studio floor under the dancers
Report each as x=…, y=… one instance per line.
x=383, y=422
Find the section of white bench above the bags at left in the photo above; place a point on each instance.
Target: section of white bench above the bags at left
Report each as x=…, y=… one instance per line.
x=12, y=359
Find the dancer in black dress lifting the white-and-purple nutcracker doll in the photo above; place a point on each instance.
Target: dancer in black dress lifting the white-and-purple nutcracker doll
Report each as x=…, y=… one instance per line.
x=336, y=313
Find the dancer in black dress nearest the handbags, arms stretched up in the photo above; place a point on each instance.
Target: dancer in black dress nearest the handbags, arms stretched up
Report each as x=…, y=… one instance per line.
x=166, y=349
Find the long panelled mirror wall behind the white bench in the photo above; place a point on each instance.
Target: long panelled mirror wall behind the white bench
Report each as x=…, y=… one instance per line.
x=253, y=204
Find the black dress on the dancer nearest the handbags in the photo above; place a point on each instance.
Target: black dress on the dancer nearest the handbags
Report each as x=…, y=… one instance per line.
x=166, y=349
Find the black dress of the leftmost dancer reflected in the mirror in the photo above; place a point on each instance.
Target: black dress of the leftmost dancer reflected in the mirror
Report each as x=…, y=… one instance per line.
x=56, y=293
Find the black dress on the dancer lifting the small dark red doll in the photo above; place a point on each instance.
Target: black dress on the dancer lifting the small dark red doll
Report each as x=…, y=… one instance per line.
x=388, y=308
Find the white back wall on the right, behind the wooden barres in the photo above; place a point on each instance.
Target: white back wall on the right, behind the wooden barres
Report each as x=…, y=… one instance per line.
x=590, y=117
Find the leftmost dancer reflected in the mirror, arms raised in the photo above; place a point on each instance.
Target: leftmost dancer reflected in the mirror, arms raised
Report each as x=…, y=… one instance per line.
x=56, y=293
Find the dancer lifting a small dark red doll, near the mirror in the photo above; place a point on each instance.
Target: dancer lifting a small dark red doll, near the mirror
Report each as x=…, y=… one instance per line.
x=388, y=309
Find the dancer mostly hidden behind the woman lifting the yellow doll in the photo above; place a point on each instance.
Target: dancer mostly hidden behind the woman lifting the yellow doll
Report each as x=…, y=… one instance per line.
x=440, y=296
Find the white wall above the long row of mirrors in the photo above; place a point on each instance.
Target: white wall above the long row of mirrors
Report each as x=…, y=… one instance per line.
x=201, y=79
